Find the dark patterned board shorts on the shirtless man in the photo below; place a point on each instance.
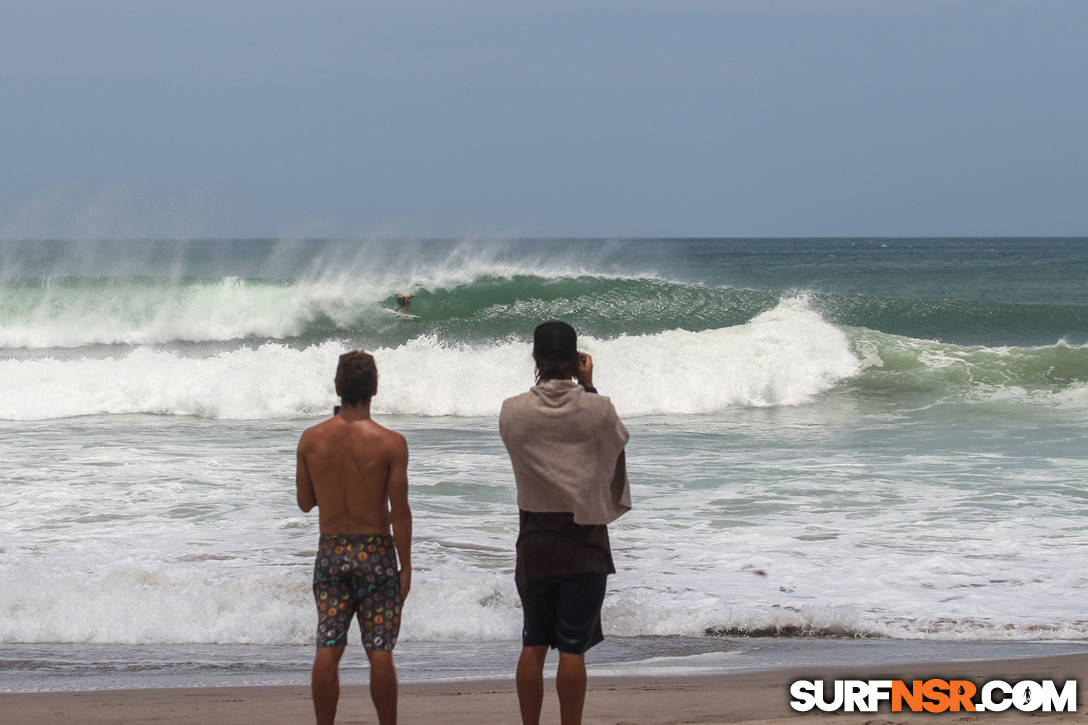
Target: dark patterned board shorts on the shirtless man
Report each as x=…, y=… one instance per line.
x=356, y=575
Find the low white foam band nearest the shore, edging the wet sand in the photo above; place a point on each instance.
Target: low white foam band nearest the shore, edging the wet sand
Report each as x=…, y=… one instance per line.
x=204, y=605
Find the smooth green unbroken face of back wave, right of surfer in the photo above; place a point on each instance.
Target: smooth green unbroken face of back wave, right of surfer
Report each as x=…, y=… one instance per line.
x=609, y=308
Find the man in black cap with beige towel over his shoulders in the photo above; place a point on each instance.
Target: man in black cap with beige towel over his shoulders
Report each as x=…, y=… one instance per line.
x=566, y=446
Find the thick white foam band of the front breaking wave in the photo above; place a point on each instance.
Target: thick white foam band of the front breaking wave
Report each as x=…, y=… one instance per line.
x=785, y=357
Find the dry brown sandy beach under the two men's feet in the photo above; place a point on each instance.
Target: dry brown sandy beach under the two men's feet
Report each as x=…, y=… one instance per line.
x=736, y=698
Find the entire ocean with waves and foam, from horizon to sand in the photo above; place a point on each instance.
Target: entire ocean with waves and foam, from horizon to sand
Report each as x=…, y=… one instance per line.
x=836, y=445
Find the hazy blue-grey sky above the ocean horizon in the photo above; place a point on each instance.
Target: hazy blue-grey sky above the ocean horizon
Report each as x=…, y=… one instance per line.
x=509, y=119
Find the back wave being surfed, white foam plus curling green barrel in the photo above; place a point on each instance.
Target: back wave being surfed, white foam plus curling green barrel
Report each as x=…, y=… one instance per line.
x=77, y=312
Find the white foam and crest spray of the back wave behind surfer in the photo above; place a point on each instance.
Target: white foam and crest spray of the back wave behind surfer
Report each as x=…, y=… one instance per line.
x=145, y=311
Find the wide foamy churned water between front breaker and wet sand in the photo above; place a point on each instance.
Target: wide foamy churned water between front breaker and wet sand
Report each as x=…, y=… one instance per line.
x=188, y=532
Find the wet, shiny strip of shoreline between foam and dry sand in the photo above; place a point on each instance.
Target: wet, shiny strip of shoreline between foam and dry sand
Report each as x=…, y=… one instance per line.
x=85, y=668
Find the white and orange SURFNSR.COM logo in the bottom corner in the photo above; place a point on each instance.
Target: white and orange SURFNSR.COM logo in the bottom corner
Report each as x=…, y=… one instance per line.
x=933, y=696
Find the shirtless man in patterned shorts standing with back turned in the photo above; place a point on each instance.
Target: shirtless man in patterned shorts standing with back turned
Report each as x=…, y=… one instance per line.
x=356, y=473
